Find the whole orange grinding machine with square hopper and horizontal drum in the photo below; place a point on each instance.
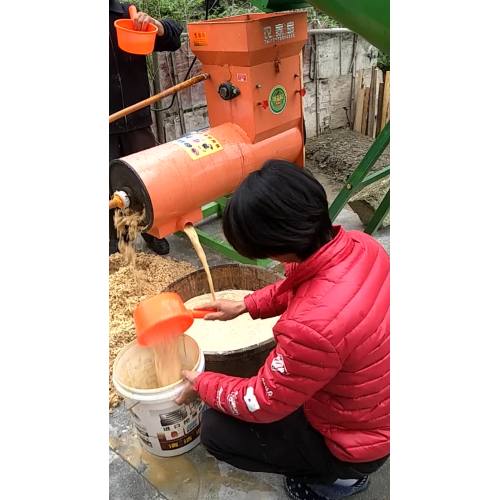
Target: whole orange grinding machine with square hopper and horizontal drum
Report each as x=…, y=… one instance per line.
x=254, y=96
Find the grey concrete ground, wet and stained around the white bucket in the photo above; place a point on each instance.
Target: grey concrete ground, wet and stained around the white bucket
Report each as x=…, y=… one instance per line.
x=134, y=474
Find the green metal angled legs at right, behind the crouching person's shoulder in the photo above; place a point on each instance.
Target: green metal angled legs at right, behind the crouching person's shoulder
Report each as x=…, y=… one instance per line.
x=360, y=178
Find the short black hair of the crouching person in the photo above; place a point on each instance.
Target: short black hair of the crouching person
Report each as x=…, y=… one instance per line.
x=276, y=210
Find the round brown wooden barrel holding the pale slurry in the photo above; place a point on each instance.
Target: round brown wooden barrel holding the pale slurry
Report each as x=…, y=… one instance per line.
x=242, y=362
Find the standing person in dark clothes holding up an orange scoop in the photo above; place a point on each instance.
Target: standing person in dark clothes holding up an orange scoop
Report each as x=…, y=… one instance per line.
x=128, y=84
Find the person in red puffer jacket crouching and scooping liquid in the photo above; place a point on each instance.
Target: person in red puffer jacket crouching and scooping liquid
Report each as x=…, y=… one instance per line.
x=318, y=409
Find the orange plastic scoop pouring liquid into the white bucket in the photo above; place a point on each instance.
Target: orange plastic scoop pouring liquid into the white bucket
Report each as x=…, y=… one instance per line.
x=163, y=315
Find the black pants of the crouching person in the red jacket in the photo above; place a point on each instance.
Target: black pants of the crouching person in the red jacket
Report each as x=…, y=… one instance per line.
x=290, y=447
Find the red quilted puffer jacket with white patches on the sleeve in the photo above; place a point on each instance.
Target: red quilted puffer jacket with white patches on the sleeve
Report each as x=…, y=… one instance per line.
x=331, y=354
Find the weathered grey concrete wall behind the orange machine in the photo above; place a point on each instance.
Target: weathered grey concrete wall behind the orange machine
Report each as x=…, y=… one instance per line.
x=328, y=78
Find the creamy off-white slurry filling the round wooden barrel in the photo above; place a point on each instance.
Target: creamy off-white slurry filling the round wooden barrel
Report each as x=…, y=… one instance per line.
x=223, y=336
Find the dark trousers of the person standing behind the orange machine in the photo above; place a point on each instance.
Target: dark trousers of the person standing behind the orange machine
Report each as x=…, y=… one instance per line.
x=123, y=145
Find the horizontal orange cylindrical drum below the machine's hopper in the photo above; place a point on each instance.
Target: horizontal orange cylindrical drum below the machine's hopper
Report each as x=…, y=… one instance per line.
x=172, y=181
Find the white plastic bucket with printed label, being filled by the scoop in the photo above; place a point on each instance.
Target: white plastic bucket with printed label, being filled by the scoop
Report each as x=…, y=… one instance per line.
x=164, y=428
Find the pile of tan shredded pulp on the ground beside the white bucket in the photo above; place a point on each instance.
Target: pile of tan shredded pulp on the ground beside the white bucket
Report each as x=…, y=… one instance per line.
x=148, y=275
